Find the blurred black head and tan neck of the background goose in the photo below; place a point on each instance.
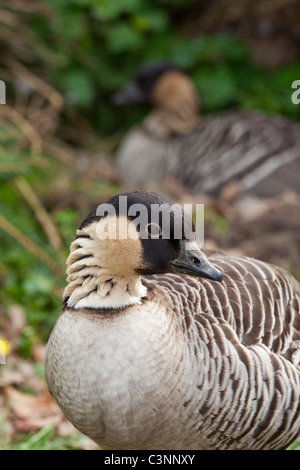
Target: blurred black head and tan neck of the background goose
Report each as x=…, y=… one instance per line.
x=171, y=93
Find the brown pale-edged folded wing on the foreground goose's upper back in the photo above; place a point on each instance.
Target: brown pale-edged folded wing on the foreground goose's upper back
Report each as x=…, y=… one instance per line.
x=259, y=301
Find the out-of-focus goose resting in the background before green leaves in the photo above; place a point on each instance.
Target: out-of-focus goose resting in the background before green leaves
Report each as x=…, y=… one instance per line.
x=260, y=153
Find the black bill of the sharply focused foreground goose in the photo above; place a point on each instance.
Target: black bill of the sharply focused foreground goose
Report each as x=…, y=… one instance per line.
x=194, y=262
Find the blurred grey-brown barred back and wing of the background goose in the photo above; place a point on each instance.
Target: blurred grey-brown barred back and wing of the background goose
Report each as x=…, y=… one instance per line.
x=260, y=153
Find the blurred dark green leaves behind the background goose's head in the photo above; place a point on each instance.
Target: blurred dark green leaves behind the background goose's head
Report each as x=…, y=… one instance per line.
x=96, y=46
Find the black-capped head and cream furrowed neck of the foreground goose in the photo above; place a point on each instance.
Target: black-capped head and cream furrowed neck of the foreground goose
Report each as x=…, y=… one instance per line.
x=132, y=234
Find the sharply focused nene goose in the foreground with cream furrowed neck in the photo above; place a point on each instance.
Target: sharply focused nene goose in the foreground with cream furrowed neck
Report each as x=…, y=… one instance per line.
x=158, y=347
